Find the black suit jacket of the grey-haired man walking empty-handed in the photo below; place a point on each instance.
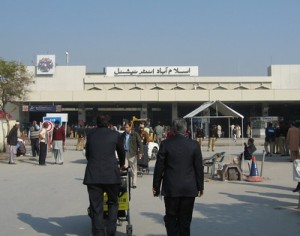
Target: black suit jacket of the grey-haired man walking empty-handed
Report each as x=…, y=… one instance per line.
x=179, y=167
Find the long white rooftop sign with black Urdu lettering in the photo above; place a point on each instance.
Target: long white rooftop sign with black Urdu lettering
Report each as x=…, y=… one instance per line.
x=153, y=71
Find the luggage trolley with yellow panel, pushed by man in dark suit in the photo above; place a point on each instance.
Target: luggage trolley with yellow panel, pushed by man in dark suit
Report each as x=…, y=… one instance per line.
x=123, y=200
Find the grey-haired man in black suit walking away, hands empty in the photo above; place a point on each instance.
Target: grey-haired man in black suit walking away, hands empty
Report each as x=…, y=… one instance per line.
x=179, y=168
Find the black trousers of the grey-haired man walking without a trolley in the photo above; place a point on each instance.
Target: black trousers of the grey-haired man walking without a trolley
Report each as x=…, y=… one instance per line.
x=178, y=218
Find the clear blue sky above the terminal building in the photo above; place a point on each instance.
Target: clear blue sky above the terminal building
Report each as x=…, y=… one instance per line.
x=222, y=37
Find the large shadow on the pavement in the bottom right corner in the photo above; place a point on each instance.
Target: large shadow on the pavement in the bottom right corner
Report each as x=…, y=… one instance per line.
x=251, y=215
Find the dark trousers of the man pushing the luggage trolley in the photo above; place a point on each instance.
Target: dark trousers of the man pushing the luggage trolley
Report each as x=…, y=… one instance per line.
x=100, y=226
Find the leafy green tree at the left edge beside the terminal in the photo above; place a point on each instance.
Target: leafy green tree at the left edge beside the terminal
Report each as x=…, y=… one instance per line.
x=14, y=86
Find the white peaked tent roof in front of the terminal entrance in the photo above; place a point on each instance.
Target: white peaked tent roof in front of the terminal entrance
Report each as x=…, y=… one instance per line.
x=218, y=106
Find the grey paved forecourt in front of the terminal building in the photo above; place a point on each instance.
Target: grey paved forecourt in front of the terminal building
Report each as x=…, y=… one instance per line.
x=51, y=200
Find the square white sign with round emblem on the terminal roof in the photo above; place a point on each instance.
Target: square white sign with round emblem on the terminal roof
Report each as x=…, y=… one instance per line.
x=45, y=65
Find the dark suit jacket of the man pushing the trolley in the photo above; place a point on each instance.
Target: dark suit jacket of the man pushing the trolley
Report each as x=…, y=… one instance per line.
x=102, y=166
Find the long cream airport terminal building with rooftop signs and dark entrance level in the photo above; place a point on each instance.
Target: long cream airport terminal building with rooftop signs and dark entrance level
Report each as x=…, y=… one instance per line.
x=159, y=93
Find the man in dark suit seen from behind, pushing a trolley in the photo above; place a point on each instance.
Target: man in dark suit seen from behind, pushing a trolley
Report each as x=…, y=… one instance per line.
x=103, y=174
